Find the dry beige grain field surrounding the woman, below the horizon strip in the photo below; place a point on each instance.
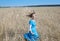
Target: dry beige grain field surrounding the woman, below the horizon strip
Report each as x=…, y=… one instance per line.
x=14, y=23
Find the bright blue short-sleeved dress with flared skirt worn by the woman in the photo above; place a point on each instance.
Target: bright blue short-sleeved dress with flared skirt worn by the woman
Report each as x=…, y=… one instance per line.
x=29, y=36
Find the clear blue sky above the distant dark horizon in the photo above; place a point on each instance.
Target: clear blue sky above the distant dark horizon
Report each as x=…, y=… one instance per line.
x=27, y=2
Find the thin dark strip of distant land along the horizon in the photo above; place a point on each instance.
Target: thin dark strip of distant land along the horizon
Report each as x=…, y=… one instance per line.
x=53, y=5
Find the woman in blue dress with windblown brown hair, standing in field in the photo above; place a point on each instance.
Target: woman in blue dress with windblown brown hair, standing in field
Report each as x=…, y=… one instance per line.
x=32, y=35
